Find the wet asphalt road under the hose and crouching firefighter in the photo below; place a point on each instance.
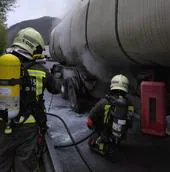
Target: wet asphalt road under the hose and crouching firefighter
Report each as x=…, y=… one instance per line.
x=139, y=153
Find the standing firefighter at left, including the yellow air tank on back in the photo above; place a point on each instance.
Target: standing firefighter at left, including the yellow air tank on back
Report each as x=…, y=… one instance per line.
x=23, y=79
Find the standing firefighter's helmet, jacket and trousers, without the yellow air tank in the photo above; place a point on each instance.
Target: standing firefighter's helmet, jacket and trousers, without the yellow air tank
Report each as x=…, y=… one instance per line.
x=18, y=150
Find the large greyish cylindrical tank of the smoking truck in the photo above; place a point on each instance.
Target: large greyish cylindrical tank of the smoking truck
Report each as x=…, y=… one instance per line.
x=108, y=37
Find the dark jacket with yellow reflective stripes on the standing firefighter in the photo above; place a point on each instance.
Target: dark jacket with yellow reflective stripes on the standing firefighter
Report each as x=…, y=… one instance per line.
x=35, y=79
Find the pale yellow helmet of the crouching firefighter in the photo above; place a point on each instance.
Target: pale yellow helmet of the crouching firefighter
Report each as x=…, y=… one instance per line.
x=119, y=82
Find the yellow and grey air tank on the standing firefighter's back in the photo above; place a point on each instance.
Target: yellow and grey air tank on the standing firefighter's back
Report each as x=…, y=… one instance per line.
x=9, y=88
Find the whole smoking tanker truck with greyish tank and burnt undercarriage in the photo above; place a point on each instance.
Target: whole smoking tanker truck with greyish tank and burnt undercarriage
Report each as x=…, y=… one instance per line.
x=98, y=39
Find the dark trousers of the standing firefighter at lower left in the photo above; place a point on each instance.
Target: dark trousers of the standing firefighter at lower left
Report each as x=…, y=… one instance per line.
x=18, y=150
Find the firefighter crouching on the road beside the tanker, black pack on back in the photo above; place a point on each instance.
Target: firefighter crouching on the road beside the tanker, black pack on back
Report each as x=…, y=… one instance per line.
x=111, y=117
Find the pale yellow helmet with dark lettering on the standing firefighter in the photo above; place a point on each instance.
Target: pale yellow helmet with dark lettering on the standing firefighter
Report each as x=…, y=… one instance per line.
x=30, y=40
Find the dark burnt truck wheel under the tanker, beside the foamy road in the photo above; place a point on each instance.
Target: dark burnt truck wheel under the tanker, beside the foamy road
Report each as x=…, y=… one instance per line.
x=73, y=97
